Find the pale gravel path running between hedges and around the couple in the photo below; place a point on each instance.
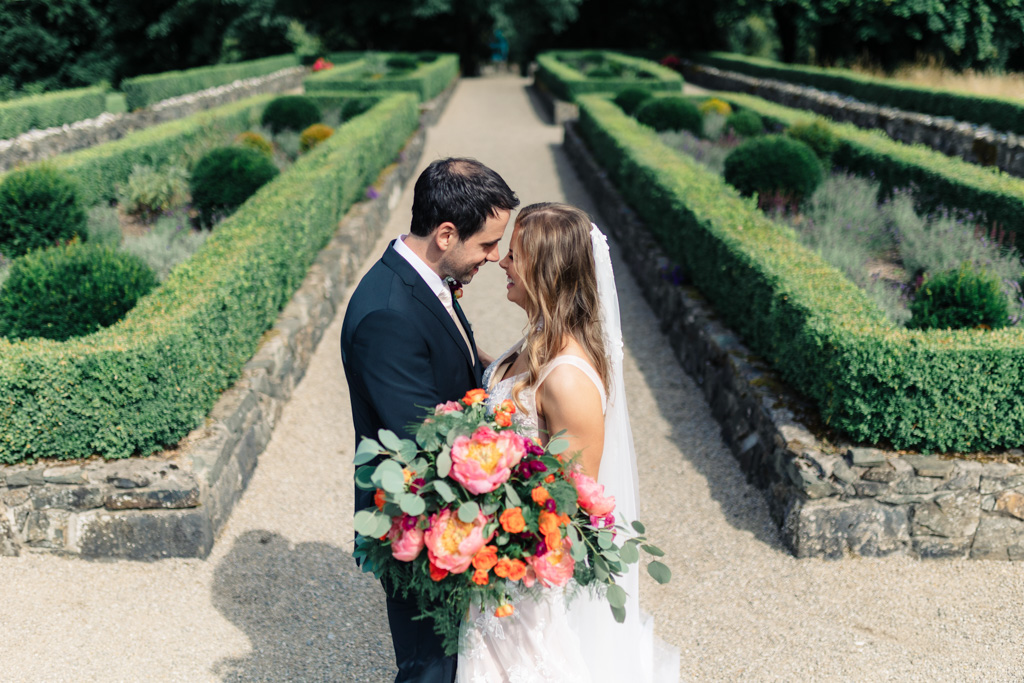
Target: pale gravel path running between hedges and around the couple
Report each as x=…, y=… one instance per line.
x=280, y=600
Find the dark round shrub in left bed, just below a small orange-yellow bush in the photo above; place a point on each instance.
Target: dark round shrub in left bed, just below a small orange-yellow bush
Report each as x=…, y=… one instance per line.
x=226, y=178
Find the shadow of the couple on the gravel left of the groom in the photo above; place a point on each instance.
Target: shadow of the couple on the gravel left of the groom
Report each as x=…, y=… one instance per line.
x=310, y=614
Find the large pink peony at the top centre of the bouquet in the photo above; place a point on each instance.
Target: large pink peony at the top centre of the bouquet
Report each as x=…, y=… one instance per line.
x=485, y=461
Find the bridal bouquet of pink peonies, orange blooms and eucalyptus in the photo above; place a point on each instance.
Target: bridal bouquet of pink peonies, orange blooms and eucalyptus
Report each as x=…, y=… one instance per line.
x=473, y=506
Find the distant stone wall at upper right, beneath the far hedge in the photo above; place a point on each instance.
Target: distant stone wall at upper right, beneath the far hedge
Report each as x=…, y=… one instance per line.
x=978, y=145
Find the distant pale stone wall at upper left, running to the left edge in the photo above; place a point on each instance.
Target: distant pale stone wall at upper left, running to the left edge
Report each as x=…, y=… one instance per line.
x=37, y=145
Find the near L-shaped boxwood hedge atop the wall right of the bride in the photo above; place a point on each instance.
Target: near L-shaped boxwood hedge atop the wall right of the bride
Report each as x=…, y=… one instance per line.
x=945, y=391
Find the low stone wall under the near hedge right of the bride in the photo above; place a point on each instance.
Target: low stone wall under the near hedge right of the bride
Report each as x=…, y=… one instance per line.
x=831, y=500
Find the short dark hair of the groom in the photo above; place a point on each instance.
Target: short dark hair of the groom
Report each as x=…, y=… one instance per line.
x=461, y=191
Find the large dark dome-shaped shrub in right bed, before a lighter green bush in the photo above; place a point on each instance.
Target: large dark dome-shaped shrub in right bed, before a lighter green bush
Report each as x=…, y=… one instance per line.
x=774, y=166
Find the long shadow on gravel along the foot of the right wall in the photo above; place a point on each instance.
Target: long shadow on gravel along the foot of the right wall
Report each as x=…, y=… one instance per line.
x=744, y=506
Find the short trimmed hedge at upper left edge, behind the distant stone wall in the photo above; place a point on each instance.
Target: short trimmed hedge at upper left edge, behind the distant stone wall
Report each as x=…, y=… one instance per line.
x=50, y=110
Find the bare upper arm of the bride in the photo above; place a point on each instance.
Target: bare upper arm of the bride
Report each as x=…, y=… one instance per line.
x=569, y=400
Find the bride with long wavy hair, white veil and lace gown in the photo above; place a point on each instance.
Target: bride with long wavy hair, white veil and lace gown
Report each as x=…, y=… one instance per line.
x=567, y=375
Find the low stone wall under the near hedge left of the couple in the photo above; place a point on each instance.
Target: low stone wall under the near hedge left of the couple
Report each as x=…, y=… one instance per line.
x=174, y=504
